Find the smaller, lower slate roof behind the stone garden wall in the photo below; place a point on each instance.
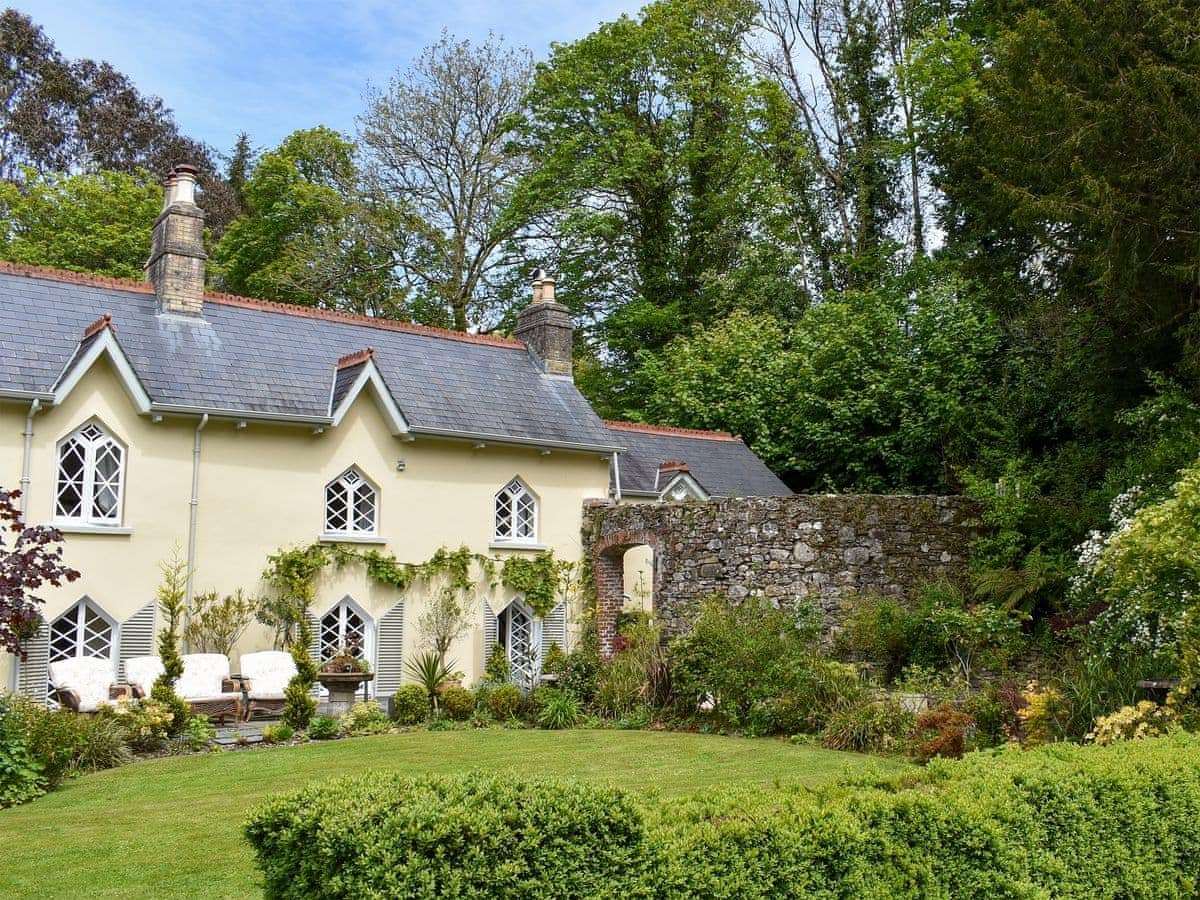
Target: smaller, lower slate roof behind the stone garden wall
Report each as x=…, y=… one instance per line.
x=718, y=461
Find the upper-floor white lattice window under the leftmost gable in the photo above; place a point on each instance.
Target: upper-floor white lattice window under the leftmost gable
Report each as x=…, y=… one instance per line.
x=92, y=478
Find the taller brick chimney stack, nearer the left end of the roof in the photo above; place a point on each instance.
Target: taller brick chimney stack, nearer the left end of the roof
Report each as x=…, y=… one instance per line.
x=177, y=253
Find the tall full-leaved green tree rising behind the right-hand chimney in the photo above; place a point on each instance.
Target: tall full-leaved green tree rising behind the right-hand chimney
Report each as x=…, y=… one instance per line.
x=650, y=193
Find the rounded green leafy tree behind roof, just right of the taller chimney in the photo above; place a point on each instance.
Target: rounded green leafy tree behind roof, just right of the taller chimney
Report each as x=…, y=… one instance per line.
x=311, y=238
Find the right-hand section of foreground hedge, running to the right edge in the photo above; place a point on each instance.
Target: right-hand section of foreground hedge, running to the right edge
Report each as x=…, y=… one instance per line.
x=1063, y=821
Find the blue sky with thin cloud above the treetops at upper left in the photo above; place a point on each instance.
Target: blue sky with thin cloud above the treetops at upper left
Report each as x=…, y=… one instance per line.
x=271, y=68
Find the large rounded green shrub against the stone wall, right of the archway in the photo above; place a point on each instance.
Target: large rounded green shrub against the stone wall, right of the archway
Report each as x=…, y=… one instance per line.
x=740, y=657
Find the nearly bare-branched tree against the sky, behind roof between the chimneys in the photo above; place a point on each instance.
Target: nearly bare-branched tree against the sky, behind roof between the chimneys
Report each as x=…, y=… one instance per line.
x=436, y=146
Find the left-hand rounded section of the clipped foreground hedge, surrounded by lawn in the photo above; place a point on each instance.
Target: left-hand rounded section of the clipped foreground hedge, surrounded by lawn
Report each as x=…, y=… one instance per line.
x=477, y=835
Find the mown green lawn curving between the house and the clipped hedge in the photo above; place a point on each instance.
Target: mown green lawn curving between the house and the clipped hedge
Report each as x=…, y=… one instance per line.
x=173, y=827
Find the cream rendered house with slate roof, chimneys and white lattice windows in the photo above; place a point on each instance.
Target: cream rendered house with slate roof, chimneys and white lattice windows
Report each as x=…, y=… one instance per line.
x=139, y=418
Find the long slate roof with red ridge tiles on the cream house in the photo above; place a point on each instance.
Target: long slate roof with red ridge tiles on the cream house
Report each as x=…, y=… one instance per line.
x=260, y=358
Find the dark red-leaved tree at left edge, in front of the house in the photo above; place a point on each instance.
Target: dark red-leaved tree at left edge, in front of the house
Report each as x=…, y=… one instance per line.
x=27, y=562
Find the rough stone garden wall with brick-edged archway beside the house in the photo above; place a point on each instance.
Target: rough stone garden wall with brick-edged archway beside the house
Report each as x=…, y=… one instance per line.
x=824, y=549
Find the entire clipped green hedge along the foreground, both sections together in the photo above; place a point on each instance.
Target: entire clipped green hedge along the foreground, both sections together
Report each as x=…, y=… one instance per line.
x=1064, y=821
